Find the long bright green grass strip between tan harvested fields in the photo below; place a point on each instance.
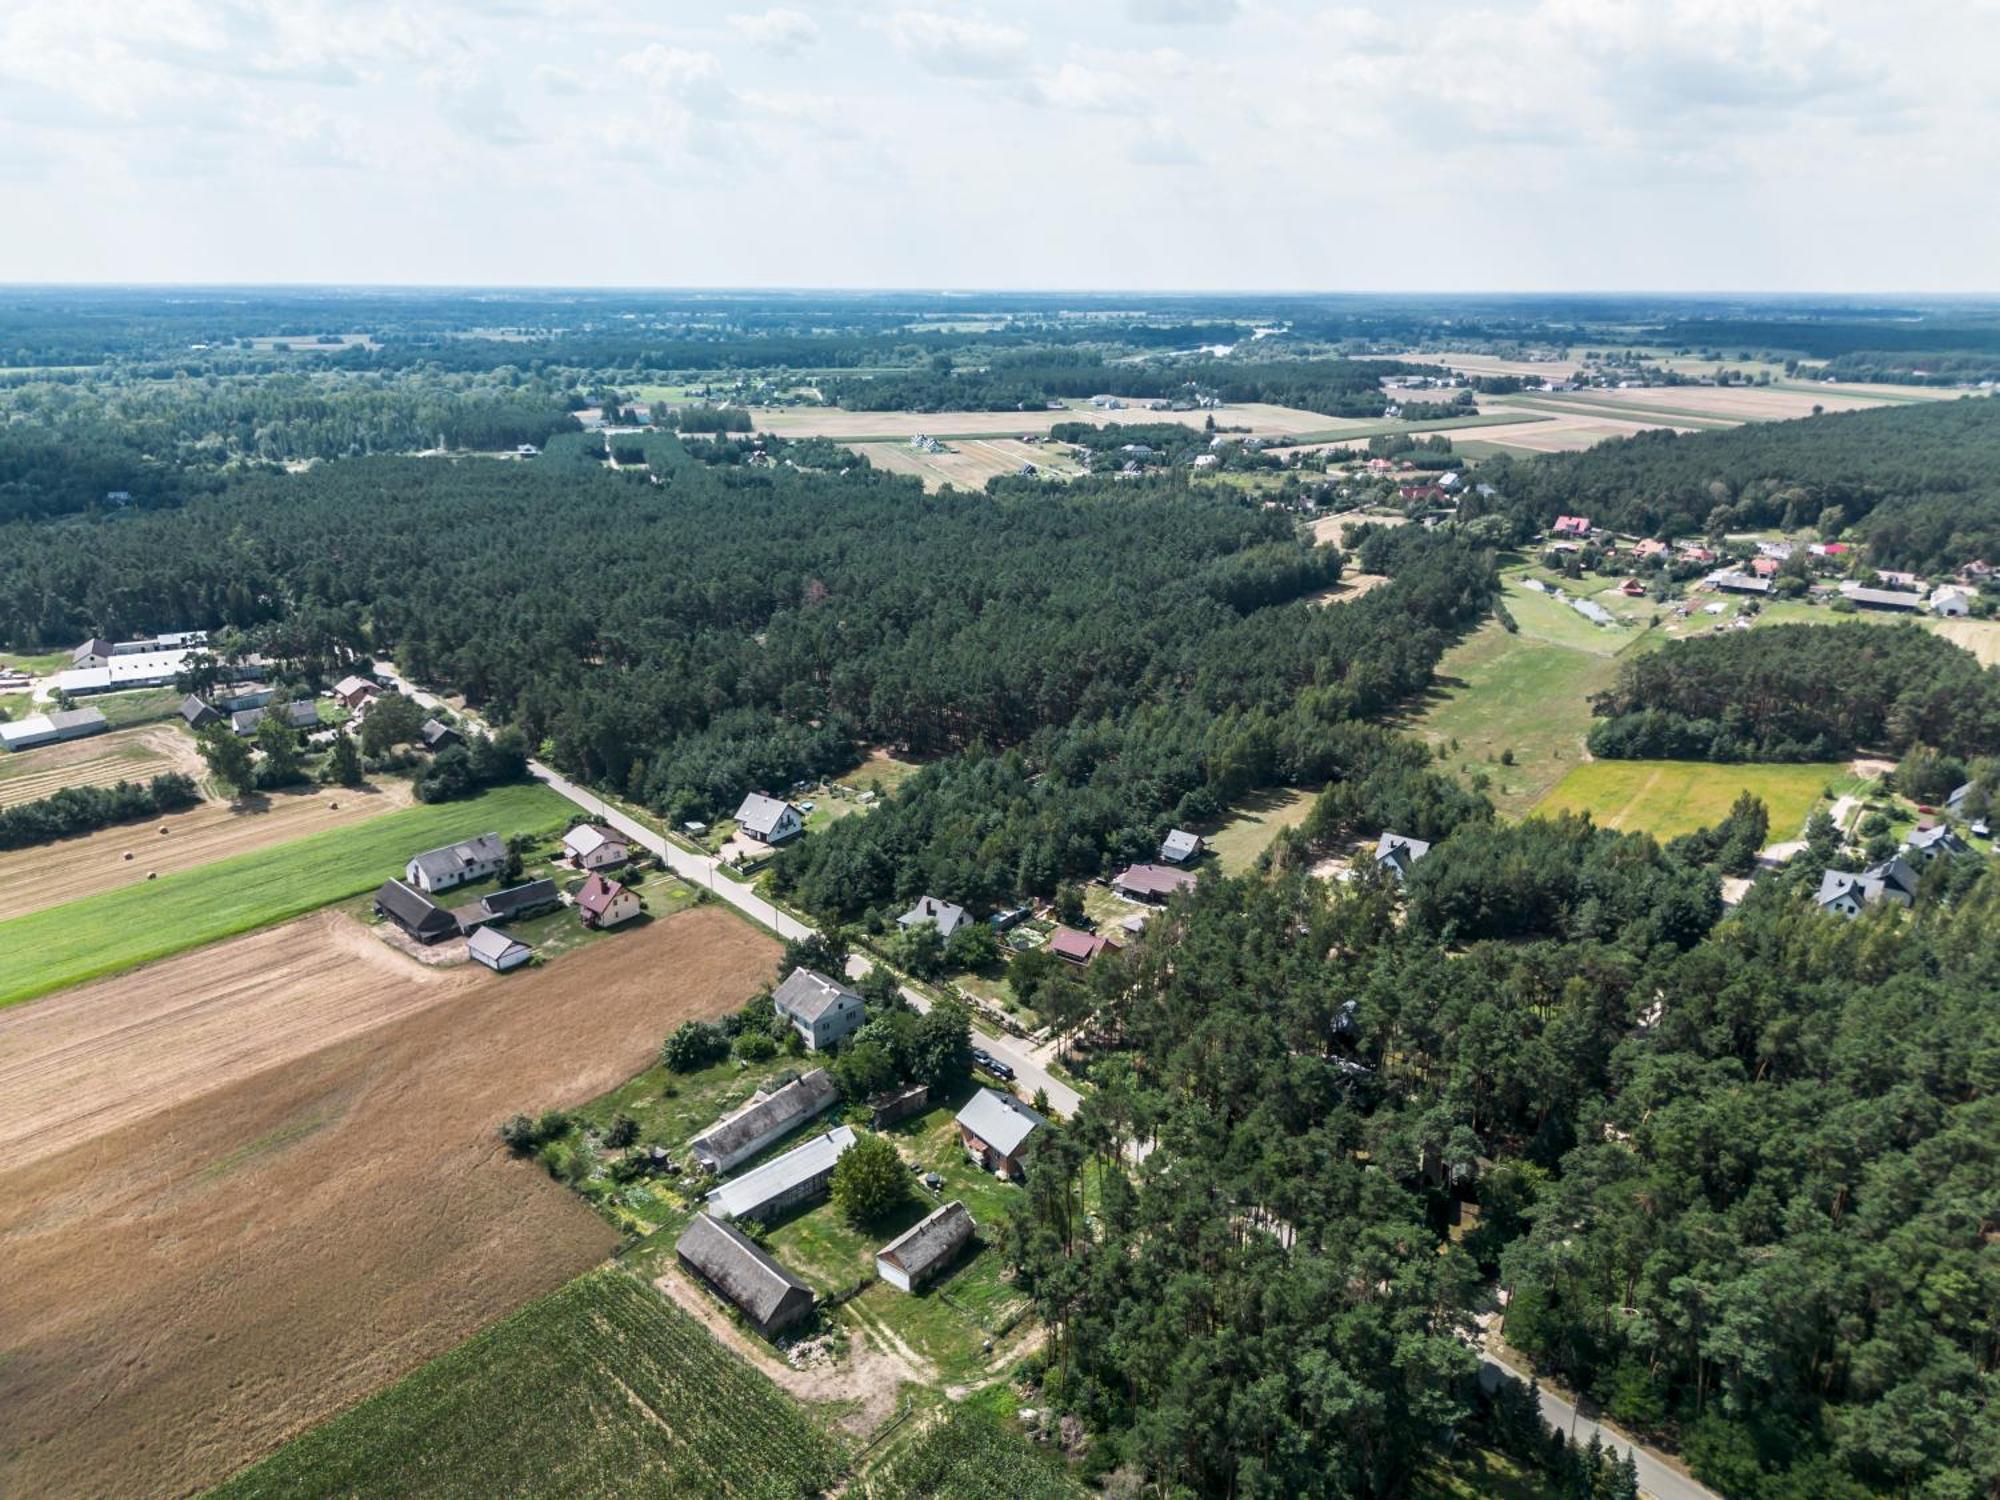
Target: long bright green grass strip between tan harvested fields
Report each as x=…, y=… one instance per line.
x=135, y=925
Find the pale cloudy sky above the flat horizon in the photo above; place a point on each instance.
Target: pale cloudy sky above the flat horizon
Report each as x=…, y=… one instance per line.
x=947, y=145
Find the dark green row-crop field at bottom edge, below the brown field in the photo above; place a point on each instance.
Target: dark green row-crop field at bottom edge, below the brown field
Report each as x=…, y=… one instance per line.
x=601, y=1389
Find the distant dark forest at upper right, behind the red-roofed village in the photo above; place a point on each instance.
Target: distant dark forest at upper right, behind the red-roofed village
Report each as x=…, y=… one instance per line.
x=1919, y=483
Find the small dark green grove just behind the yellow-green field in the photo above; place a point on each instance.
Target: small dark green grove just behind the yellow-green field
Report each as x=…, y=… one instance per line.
x=1799, y=693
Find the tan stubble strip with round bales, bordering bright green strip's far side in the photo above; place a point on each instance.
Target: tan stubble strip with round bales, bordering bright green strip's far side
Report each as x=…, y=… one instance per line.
x=51, y=875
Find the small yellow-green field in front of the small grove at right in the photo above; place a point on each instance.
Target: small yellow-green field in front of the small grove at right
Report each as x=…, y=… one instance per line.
x=1677, y=797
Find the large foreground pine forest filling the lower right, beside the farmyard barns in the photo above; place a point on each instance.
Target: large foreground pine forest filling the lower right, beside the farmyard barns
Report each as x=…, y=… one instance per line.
x=1739, y=1181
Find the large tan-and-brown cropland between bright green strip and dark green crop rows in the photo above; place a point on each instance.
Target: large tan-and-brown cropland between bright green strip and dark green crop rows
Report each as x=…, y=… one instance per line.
x=297, y=1223
